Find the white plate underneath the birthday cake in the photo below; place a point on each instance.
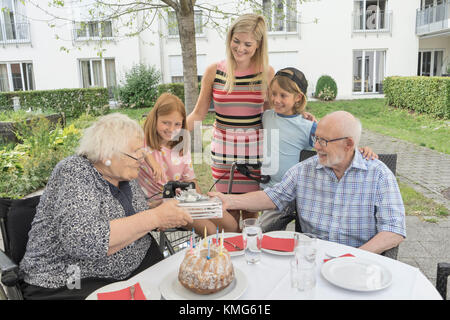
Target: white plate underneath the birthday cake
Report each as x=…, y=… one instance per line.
x=172, y=289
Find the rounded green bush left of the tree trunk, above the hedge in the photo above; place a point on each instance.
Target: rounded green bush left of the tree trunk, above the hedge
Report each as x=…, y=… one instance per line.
x=140, y=88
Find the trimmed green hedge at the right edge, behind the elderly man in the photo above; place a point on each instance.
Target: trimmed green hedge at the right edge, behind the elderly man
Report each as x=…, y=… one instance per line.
x=421, y=94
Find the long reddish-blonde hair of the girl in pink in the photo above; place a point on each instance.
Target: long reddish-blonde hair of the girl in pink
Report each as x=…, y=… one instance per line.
x=166, y=104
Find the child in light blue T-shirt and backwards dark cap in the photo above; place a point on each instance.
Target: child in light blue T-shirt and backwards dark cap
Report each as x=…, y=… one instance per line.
x=287, y=96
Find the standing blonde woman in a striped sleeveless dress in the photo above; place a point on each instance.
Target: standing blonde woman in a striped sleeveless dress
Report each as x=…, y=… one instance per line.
x=238, y=87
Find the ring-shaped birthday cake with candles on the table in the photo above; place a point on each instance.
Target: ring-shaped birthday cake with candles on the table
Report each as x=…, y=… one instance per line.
x=206, y=270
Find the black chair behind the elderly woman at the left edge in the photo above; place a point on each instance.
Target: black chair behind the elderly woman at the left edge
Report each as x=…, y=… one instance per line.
x=15, y=223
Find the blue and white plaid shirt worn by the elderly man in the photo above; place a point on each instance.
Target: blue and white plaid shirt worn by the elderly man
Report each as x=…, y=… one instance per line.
x=350, y=211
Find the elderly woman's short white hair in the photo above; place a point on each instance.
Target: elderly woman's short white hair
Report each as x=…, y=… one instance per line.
x=109, y=135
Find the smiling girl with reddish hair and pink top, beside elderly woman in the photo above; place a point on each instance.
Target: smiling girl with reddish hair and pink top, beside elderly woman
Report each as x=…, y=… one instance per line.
x=169, y=158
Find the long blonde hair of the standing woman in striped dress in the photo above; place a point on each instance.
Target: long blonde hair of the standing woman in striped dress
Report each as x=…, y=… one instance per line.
x=255, y=25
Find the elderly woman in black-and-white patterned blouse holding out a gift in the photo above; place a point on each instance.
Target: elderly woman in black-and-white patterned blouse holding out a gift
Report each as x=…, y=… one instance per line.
x=92, y=225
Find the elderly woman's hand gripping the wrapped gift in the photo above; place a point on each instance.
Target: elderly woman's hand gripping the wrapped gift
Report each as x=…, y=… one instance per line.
x=171, y=216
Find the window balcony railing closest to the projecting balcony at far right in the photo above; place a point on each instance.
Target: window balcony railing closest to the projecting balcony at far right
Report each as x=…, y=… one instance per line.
x=377, y=21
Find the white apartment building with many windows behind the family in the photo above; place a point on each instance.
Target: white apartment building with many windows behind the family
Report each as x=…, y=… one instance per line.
x=357, y=42
